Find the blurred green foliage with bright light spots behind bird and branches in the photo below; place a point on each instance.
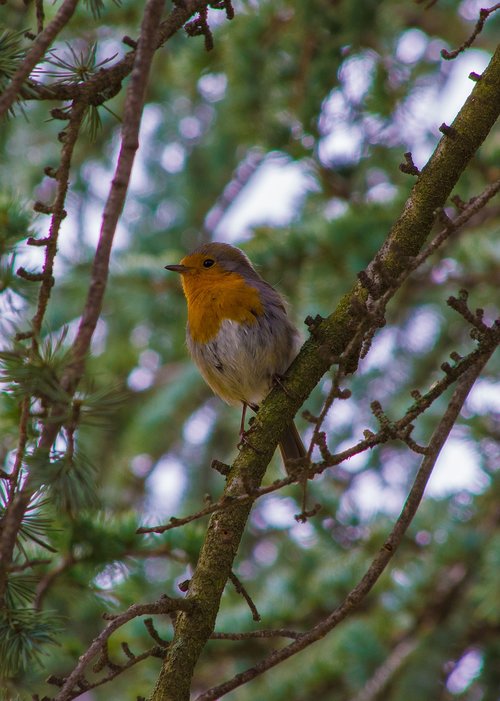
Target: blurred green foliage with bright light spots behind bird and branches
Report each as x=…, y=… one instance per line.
x=286, y=140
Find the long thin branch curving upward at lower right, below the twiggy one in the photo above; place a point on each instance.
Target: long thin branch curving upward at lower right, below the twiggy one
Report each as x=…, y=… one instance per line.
x=380, y=562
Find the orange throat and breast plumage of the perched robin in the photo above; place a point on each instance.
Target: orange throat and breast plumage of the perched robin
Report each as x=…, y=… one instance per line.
x=213, y=298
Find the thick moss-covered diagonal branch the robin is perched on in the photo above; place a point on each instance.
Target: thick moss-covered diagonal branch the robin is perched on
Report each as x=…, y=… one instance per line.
x=331, y=336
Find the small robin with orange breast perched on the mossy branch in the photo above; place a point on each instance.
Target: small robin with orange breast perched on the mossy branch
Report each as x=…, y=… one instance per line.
x=238, y=332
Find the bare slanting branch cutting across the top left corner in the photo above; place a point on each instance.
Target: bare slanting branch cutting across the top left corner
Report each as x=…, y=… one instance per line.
x=37, y=51
